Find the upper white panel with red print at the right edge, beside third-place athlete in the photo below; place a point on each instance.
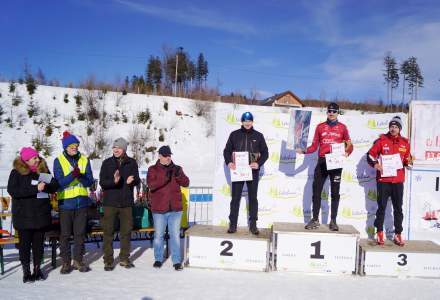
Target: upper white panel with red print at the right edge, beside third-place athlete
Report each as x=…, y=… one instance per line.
x=425, y=131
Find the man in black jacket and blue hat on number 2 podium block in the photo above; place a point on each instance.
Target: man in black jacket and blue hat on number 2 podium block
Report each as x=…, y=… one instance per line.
x=246, y=139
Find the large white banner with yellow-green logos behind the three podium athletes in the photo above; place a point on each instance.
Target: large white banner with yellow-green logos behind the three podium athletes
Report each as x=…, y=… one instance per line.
x=285, y=187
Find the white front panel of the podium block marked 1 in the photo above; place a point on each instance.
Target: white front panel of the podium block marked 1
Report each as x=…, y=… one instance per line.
x=316, y=253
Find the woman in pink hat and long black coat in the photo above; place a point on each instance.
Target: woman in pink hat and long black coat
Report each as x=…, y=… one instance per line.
x=31, y=211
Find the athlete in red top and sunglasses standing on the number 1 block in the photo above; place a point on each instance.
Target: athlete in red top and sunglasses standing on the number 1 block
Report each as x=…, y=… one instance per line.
x=327, y=133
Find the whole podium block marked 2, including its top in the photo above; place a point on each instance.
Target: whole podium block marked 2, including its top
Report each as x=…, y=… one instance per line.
x=208, y=246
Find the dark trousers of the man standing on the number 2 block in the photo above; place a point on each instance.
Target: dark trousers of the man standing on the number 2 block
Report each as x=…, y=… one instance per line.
x=237, y=188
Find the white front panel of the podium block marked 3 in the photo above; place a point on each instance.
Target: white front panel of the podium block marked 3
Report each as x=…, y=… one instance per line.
x=402, y=264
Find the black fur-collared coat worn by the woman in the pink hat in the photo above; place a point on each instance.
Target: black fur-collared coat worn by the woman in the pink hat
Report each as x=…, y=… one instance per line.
x=28, y=211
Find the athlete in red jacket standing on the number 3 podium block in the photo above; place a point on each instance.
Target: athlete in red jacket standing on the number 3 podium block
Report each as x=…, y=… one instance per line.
x=389, y=144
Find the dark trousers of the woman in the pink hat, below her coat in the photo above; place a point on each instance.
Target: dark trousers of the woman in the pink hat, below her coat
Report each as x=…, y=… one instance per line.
x=31, y=239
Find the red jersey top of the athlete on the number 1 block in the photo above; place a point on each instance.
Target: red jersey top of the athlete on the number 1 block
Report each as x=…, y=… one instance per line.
x=325, y=135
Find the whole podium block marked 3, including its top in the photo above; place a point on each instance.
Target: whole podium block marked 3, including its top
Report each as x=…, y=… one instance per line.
x=415, y=259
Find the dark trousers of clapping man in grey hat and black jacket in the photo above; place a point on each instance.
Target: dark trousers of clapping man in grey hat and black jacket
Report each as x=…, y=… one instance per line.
x=126, y=225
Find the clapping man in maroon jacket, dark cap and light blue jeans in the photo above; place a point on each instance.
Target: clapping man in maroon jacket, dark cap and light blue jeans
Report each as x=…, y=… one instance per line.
x=164, y=180
